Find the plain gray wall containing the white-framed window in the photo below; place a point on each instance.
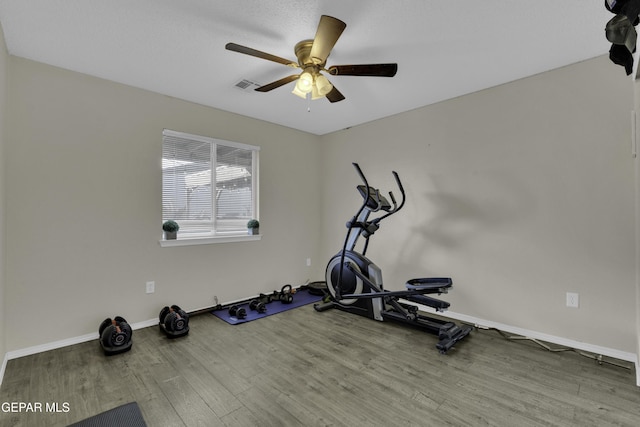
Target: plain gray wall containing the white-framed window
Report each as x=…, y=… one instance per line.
x=83, y=202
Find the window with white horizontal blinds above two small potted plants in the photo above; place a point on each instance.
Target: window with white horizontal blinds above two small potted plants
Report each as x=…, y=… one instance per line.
x=209, y=186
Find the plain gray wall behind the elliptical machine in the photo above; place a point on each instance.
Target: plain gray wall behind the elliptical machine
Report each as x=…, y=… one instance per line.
x=520, y=193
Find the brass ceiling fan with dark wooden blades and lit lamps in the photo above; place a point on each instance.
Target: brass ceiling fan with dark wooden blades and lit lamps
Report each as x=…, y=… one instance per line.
x=312, y=57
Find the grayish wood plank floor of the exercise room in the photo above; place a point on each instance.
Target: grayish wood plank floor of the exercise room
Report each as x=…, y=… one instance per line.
x=303, y=368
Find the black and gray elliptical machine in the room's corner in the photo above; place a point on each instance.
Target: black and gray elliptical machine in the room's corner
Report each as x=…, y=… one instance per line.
x=355, y=282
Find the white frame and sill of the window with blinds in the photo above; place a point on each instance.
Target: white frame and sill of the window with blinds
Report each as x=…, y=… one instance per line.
x=214, y=235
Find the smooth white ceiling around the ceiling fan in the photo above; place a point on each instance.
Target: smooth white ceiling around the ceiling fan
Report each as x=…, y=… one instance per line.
x=444, y=49
